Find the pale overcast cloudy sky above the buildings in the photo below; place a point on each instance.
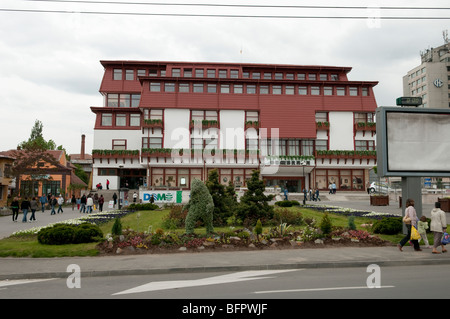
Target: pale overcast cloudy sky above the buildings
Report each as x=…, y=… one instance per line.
x=50, y=69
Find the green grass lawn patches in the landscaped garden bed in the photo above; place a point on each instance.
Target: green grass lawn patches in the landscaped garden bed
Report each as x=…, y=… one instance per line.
x=144, y=221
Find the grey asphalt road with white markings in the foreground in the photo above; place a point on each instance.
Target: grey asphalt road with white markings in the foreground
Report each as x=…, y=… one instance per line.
x=408, y=282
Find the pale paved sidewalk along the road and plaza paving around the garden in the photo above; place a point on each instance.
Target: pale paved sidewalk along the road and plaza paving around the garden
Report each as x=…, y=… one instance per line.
x=20, y=268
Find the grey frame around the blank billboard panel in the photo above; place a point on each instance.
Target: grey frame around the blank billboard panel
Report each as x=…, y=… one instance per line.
x=382, y=143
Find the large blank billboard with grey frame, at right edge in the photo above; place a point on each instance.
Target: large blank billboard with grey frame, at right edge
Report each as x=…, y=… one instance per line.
x=413, y=142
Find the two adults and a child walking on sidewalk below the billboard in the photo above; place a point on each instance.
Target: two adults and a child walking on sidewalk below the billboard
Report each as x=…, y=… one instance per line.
x=438, y=226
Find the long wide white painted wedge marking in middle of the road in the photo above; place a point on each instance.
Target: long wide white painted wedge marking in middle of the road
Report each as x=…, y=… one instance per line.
x=234, y=277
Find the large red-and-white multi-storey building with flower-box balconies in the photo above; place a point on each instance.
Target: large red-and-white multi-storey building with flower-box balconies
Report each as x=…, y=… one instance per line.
x=162, y=124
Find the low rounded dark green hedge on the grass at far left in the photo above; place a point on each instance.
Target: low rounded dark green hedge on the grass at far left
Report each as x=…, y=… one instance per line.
x=61, y=234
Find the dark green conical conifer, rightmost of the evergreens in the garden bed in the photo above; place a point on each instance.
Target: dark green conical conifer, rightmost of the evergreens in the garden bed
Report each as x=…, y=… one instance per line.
x=254, y=203
